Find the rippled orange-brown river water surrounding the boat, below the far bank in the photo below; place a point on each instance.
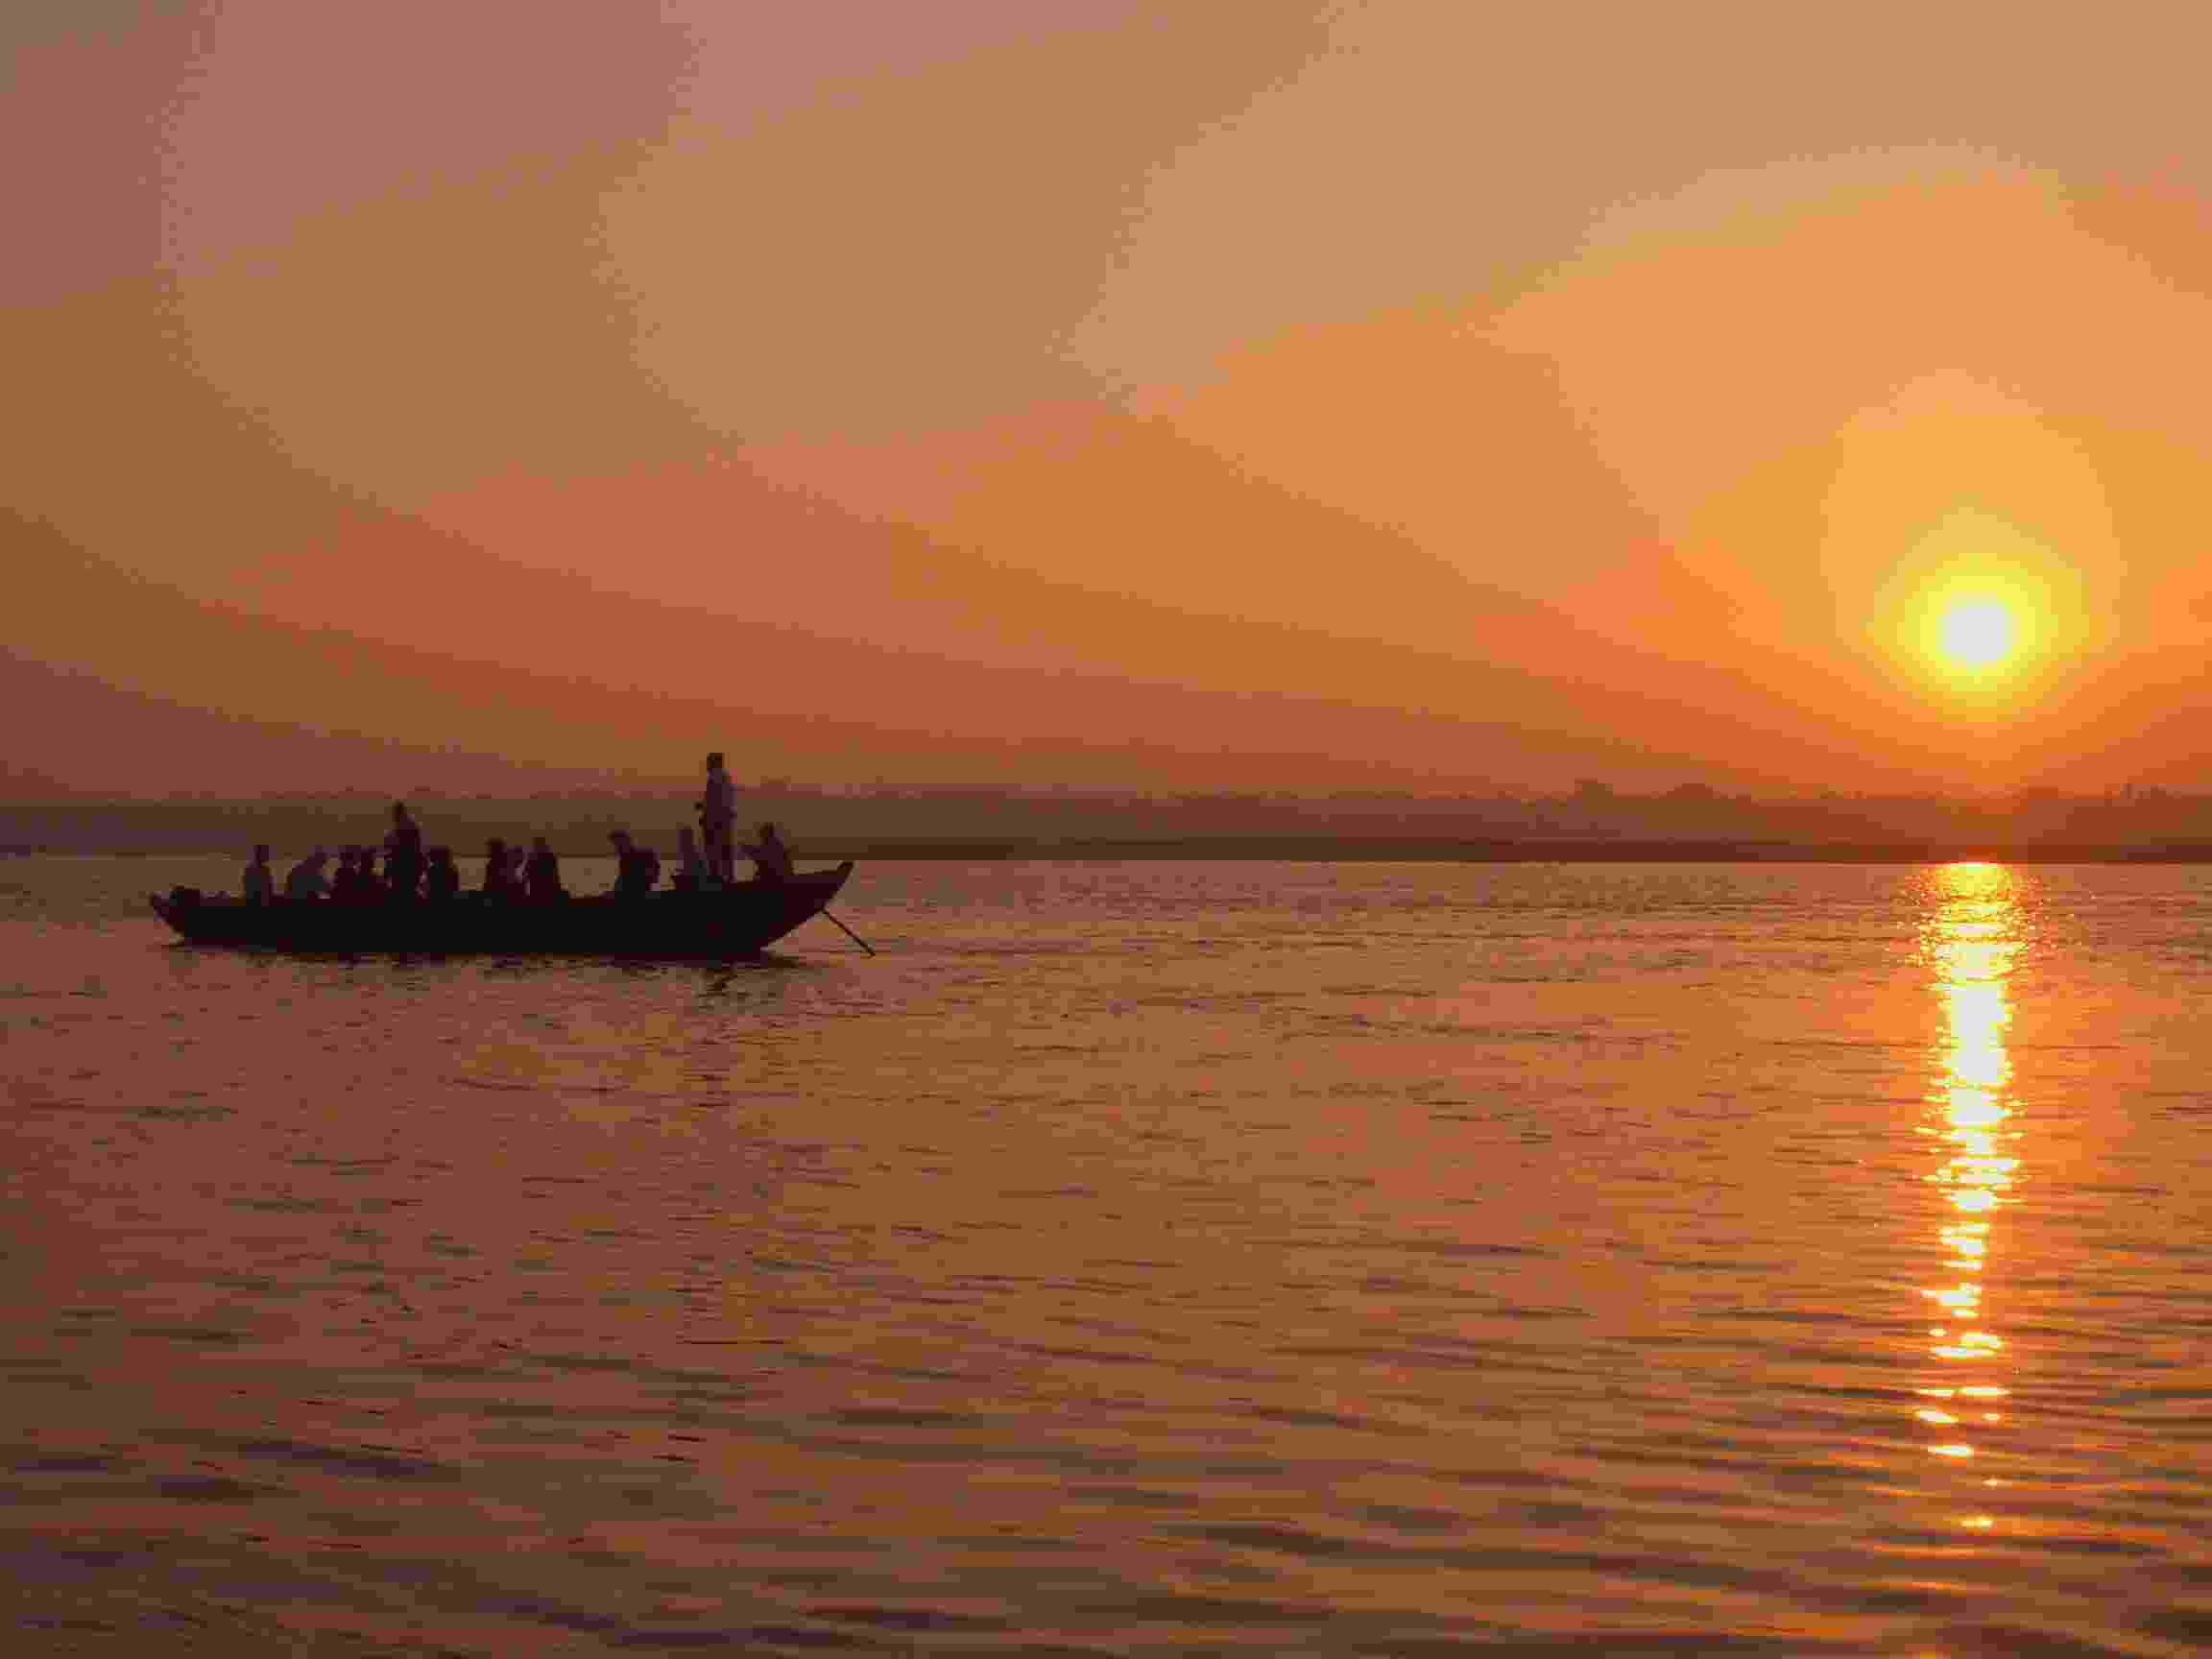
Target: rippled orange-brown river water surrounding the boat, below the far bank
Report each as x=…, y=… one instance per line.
x=1131, y=1260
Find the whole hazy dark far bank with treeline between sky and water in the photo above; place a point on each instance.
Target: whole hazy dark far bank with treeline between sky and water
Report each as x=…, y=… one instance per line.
x=886, y=822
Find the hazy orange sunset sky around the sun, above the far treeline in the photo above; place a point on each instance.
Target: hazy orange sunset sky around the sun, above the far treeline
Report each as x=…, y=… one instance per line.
x=1116, y=393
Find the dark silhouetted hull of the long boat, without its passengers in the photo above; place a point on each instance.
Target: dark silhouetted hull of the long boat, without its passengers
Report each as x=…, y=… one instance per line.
x=735, y=921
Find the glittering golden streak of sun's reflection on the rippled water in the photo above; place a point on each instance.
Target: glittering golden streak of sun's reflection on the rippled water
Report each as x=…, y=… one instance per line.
x=1972, y=939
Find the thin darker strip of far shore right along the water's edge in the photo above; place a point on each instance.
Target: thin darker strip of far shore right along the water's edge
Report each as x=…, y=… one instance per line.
x=1399, y=851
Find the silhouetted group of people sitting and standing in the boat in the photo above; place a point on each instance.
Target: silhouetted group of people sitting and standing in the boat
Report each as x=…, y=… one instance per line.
x=410, y=873
